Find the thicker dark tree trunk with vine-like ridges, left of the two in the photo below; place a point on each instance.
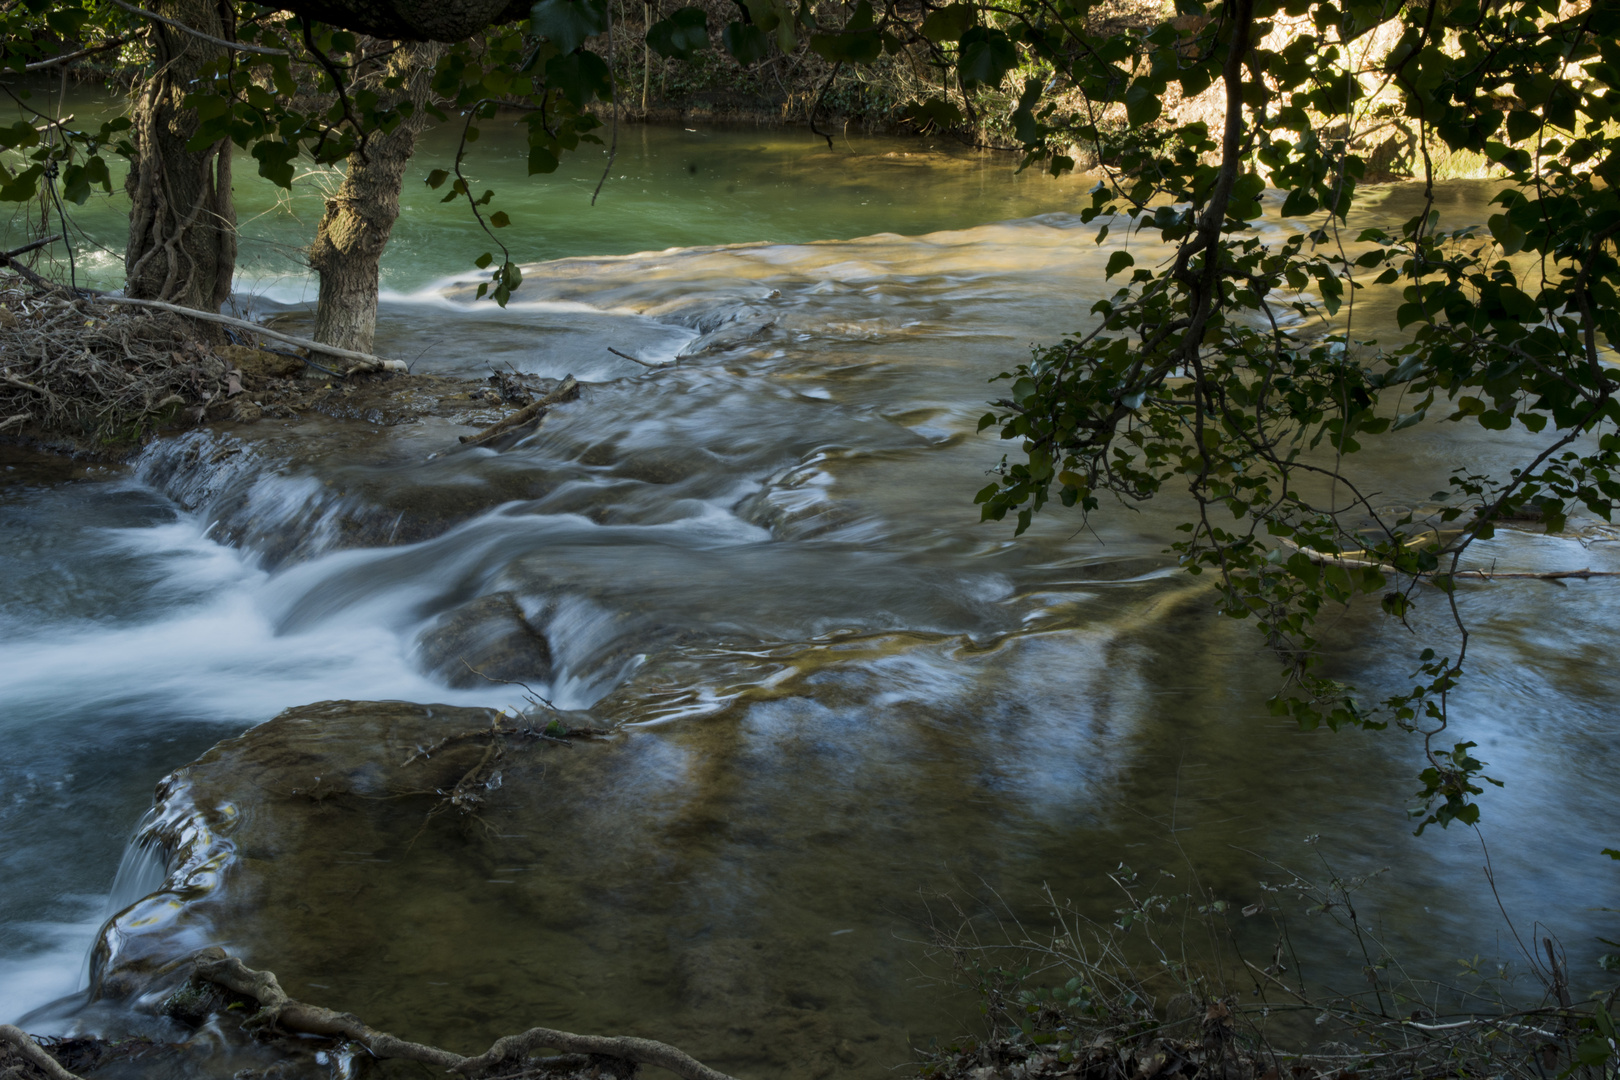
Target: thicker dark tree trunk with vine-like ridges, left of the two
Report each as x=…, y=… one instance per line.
x=182, y=226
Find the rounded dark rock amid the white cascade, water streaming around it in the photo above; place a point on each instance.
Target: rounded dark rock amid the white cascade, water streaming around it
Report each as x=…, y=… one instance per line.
x=485, y=640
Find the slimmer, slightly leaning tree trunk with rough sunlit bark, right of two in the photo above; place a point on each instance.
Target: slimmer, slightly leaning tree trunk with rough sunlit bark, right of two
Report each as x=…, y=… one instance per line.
x=359, y=219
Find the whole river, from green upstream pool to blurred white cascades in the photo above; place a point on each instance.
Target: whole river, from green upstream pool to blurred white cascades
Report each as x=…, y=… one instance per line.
x=842, y=694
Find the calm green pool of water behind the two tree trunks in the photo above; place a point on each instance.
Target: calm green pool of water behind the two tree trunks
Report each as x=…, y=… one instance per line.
x=665, y=189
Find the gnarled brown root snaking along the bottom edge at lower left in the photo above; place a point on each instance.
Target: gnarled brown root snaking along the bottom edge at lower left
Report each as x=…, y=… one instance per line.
x=296, y=1018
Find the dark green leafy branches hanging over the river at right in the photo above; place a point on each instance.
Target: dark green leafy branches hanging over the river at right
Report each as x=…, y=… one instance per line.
x=1222, y=376
